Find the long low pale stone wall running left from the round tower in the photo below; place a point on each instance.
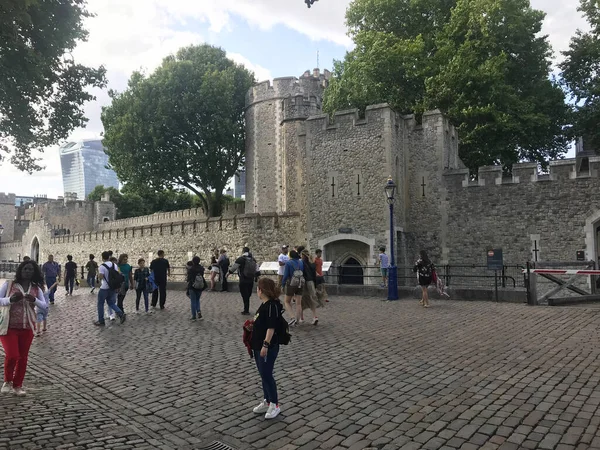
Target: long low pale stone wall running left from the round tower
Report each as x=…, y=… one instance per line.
x=264, y=234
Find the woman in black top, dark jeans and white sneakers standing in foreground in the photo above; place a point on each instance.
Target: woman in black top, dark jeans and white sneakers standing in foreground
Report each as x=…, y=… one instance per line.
x=265, y=344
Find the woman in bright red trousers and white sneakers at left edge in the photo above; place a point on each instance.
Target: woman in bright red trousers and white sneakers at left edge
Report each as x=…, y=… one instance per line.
x=18, y=300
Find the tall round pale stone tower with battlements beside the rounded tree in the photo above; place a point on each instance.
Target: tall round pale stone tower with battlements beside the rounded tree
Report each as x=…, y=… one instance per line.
x=273, y=149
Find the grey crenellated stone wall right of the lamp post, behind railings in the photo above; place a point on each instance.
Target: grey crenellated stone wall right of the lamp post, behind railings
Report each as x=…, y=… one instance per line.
x=559, y=211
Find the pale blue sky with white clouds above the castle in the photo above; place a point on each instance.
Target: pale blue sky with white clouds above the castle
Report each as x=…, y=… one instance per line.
x=273, y=38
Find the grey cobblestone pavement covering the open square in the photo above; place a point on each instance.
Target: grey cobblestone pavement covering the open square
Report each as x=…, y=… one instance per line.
x=372, y=374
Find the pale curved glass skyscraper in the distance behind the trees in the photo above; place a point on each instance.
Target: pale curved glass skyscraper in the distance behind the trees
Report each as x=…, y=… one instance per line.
x=84, y=167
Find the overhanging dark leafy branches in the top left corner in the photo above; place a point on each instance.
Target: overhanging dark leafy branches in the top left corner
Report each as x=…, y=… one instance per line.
x=42, y=89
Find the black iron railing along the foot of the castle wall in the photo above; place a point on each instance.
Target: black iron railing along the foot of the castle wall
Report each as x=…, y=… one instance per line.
x=466, y=276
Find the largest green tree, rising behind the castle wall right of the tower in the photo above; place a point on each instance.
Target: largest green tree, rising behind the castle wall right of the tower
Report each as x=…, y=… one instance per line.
x=482, y=62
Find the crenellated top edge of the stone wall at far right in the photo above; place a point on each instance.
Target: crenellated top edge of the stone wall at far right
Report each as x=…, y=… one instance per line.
x=559, y=170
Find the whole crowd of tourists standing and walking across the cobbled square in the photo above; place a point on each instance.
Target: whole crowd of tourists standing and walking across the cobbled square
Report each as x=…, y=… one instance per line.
x=25, y=301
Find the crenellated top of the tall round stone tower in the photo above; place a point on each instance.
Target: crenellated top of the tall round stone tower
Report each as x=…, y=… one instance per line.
x=309, y=84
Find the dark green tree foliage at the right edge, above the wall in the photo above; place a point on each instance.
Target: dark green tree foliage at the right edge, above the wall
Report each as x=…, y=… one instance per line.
x=581, y=75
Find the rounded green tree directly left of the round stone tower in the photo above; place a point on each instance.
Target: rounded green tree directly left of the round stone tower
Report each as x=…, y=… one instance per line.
x=182, y=126
